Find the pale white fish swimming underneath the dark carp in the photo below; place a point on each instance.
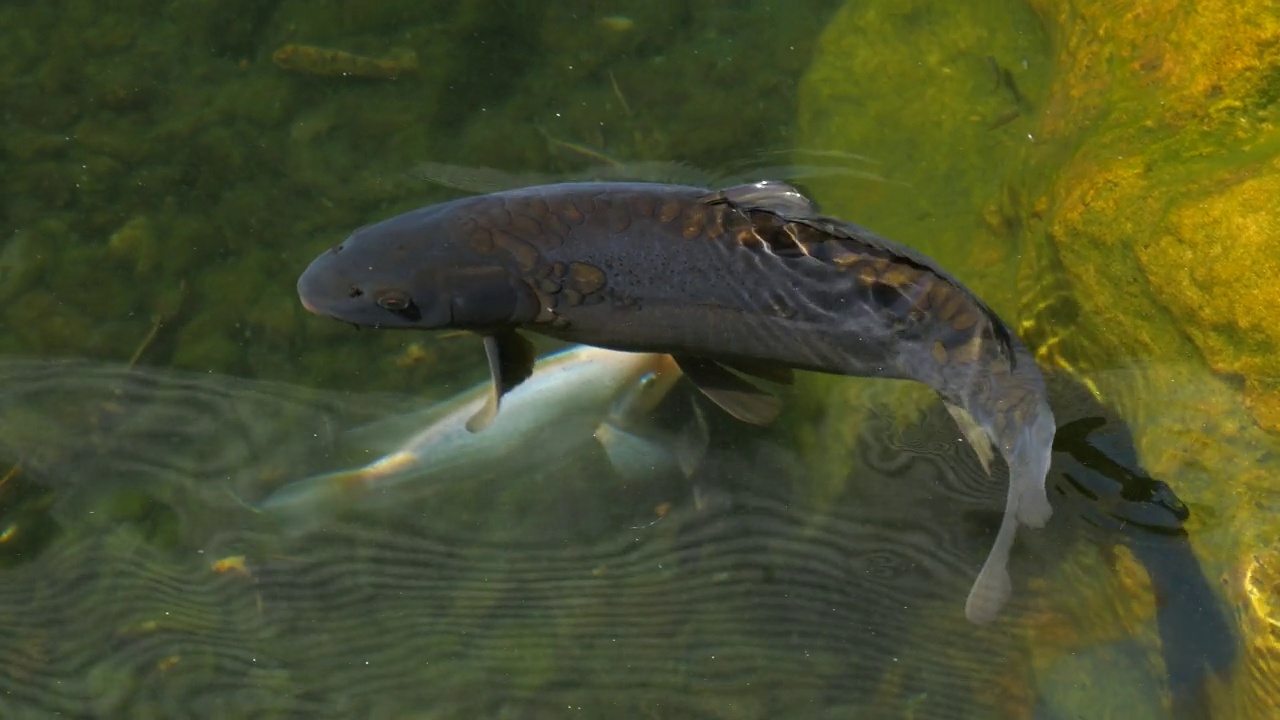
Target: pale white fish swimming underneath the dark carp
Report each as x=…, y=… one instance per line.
x=572, y=397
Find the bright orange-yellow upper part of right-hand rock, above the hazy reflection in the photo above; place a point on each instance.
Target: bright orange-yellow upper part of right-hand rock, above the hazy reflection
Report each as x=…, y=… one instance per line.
x=1158, y=161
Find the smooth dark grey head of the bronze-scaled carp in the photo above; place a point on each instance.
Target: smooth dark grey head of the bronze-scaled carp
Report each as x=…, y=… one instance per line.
x=418, y=271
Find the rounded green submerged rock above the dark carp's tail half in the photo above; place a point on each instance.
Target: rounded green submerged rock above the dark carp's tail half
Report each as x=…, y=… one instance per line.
x=935, y=95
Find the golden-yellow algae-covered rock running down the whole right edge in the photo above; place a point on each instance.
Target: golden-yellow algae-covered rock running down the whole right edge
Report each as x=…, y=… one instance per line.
x=1154, y=188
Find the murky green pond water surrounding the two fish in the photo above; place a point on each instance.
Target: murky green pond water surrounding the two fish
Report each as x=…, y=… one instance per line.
x=172, y=166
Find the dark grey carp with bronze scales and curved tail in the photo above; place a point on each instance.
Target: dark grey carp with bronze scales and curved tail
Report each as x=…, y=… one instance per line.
x=747, y=280
